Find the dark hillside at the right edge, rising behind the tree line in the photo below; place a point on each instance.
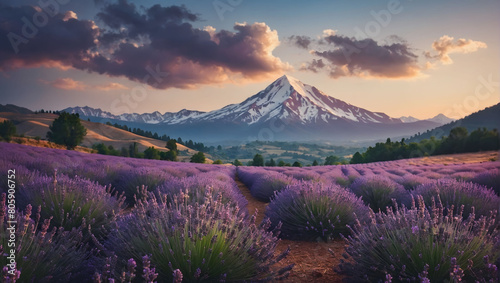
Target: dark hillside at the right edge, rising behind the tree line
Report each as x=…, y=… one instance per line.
x=488, y=118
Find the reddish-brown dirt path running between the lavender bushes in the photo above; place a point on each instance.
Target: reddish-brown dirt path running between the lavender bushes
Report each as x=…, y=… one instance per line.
x=313, y=261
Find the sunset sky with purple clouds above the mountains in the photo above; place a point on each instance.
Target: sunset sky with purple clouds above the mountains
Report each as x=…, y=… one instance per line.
x=400, y=57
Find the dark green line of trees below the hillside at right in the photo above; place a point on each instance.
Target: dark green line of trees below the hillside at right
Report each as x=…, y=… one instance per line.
x=458, y=141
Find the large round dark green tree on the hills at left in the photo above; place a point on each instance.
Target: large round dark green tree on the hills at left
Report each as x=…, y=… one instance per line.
x=67, y=130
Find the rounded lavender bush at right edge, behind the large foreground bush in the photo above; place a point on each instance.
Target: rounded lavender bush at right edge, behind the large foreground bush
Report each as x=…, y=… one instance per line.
x=454, y=194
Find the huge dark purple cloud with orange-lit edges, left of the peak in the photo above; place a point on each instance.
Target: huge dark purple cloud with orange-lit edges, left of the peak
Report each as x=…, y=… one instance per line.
x=145, y=45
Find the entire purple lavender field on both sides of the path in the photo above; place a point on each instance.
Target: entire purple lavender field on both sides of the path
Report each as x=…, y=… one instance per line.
x=95, y=218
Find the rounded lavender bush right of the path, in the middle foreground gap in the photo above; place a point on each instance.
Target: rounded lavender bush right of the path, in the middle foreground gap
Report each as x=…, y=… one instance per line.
x=310, y=211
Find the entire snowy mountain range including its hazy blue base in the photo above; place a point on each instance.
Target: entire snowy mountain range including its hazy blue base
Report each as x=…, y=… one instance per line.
x=286, y=110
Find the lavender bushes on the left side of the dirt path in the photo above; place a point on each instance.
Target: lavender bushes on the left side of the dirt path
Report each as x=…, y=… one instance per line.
x=155, y=221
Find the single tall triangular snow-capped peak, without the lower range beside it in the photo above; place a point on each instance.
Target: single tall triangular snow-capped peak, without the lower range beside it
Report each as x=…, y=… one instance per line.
x=290, y=100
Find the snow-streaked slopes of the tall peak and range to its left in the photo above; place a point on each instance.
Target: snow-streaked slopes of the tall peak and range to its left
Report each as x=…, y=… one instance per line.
x=286, y=99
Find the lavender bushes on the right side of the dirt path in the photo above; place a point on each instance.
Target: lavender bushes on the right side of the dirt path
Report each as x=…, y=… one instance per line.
x=450, y=234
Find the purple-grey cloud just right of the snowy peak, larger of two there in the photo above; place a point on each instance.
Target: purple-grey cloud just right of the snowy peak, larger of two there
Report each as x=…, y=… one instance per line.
x=363, y=58
